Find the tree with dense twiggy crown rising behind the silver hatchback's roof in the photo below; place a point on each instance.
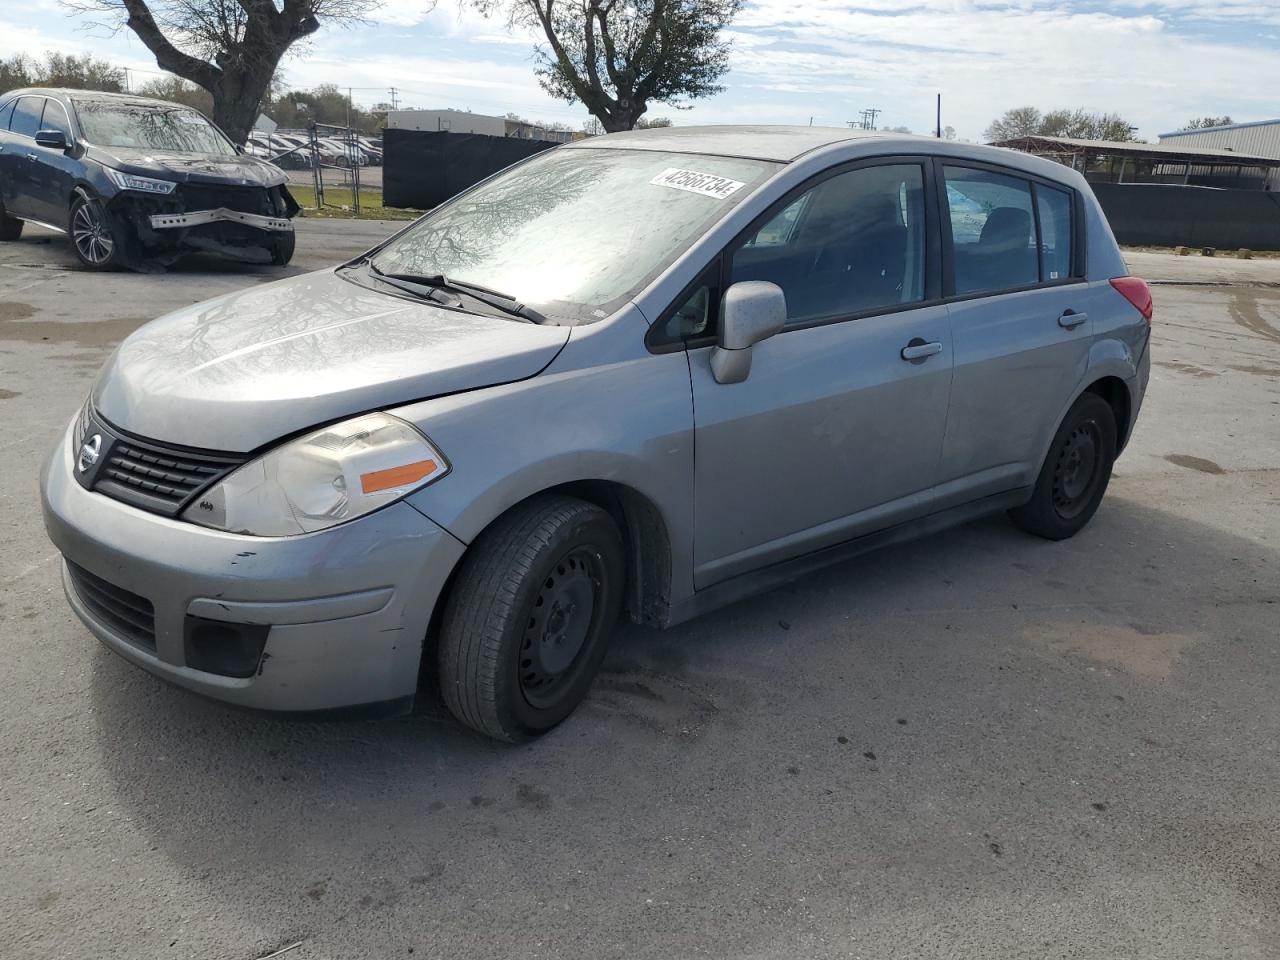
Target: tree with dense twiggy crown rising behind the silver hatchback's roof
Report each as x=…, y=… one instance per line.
x=616, y=57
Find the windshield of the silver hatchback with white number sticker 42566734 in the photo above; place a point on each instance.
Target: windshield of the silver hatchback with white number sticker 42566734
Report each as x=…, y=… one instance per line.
x=575, y=232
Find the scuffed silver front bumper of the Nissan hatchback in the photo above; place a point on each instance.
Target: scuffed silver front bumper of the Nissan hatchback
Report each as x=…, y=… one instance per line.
x=348, y=609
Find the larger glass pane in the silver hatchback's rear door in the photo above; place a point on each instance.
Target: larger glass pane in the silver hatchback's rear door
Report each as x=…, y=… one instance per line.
x=993, y=231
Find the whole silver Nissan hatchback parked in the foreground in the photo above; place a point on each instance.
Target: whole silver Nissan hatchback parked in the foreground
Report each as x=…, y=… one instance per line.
x=642, y=374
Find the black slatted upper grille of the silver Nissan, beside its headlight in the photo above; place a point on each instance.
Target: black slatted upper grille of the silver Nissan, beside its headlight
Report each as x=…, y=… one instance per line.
x=156, y=477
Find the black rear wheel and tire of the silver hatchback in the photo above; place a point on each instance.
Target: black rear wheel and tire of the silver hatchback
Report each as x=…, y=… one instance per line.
x=1076, y=473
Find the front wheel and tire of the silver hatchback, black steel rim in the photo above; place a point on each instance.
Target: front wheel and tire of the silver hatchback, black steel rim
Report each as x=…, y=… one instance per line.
x=528, y=621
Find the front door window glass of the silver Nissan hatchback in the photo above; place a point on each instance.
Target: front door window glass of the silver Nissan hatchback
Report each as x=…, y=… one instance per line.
x=852, y=245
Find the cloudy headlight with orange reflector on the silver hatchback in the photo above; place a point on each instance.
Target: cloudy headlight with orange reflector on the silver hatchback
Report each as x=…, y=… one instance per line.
x=323, y=479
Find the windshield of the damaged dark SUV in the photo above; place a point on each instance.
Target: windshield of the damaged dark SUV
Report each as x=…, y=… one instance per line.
x=175, y=130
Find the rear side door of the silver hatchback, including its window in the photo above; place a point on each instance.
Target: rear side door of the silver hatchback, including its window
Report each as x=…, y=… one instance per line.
x=1014, y=266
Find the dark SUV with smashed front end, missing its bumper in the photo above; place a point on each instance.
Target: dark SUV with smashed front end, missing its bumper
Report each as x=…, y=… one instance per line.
x=136, y=181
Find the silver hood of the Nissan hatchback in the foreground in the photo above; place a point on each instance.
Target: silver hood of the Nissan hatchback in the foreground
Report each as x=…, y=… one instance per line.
x=243, y=371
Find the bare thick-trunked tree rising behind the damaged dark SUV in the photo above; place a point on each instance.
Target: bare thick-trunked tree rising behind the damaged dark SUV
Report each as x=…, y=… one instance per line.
x=231, y=48
